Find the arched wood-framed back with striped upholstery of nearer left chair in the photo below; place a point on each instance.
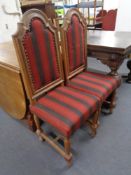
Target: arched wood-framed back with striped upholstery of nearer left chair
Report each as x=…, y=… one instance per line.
x=38, y=40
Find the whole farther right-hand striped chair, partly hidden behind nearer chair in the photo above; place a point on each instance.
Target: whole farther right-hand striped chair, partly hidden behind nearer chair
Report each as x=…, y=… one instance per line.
x=74, y=39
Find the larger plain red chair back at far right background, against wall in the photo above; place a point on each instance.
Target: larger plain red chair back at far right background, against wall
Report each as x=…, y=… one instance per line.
x=109, y=20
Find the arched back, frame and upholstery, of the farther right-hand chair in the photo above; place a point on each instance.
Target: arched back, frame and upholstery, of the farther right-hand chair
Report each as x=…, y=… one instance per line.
x=74, y=42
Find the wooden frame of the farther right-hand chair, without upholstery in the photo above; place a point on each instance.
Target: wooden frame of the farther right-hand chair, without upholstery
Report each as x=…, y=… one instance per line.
x=70, y=74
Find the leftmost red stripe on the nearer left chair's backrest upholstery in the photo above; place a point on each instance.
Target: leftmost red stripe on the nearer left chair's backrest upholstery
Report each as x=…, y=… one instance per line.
x=27, y=42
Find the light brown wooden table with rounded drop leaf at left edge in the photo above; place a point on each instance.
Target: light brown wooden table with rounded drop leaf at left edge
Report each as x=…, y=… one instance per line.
x=12, y=96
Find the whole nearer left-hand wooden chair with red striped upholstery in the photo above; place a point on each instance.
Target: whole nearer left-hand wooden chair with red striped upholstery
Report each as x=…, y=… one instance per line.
x=65, y=109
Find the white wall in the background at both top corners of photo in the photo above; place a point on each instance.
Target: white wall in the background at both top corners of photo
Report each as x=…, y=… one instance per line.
x=8, y=22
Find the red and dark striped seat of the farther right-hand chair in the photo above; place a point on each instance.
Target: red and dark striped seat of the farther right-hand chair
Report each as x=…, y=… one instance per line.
x=97, y=84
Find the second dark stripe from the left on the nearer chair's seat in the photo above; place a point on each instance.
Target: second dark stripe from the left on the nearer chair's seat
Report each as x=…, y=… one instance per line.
x=76, y=111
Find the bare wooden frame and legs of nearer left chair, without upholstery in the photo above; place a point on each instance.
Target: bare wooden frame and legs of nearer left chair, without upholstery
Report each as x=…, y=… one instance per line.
x=32, y=94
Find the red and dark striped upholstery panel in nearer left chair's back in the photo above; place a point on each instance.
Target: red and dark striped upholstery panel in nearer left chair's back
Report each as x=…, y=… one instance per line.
x=40, y=54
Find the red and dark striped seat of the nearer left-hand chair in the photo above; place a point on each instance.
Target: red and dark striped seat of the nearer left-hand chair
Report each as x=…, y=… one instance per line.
x=65, y=108
